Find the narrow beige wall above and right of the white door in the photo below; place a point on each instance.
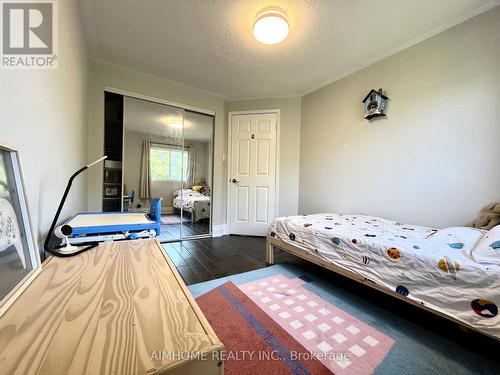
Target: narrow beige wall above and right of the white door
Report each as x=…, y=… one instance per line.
x=289, y=145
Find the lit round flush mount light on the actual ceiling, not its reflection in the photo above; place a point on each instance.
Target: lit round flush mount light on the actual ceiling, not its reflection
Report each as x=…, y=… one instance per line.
x=271, y=26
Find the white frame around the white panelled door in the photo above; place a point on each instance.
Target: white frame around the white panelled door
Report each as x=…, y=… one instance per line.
x=229, y=151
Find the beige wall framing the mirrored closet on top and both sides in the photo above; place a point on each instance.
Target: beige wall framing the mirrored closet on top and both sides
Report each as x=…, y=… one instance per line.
x=126, y=79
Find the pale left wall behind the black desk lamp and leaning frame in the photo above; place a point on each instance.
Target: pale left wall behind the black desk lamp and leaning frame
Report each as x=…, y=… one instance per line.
x=44, y=116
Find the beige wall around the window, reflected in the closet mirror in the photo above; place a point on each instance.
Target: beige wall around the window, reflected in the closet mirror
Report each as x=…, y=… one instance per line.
x=132, y=166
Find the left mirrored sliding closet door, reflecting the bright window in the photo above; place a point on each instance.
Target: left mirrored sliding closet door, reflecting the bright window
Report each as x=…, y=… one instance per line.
x=154, y=167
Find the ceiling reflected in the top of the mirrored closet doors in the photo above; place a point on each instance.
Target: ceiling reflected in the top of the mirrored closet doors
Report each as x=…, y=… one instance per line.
x=141, y=116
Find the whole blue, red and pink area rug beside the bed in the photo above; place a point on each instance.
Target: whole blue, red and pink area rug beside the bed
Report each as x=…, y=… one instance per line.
x=336, y=331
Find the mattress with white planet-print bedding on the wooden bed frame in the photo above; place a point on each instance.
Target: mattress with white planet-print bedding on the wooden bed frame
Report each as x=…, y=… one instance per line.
x=430, y=266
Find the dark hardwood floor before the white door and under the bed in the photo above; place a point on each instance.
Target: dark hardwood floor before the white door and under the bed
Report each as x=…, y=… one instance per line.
x=211, y=258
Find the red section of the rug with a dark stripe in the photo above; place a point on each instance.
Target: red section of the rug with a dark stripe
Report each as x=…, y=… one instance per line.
x=254, y=343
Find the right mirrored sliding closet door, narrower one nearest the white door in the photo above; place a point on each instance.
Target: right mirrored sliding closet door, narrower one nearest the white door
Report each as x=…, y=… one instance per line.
x=198, y=165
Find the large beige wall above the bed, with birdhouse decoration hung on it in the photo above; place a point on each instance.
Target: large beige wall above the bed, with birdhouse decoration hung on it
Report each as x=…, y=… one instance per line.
x=435, y=159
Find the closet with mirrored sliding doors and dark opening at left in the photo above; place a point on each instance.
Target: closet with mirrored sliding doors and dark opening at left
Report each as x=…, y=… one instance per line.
x=167, y=153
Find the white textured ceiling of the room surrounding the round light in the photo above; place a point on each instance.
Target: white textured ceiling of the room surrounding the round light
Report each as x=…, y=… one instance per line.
x=208, y=43
